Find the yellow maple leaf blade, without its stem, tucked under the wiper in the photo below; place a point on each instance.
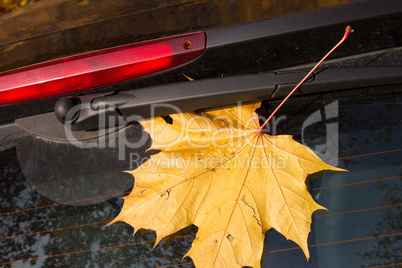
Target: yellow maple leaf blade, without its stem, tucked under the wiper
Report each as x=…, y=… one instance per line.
x=218, y=171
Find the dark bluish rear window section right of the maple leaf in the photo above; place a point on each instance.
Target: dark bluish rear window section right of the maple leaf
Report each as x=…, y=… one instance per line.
x=362, y=227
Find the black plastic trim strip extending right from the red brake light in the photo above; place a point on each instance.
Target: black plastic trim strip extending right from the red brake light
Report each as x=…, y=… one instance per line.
x=340, y=14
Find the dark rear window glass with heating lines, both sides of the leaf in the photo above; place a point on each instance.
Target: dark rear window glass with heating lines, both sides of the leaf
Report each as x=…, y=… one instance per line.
x=56, y=199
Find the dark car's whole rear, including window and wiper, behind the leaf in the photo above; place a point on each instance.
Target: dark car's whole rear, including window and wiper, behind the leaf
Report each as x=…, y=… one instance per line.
x=57, y=196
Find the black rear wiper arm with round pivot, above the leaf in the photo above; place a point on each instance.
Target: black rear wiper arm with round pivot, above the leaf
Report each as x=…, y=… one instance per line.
x=216, y=92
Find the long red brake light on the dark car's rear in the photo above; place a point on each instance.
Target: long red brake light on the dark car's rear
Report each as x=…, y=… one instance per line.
x=99, y=68
